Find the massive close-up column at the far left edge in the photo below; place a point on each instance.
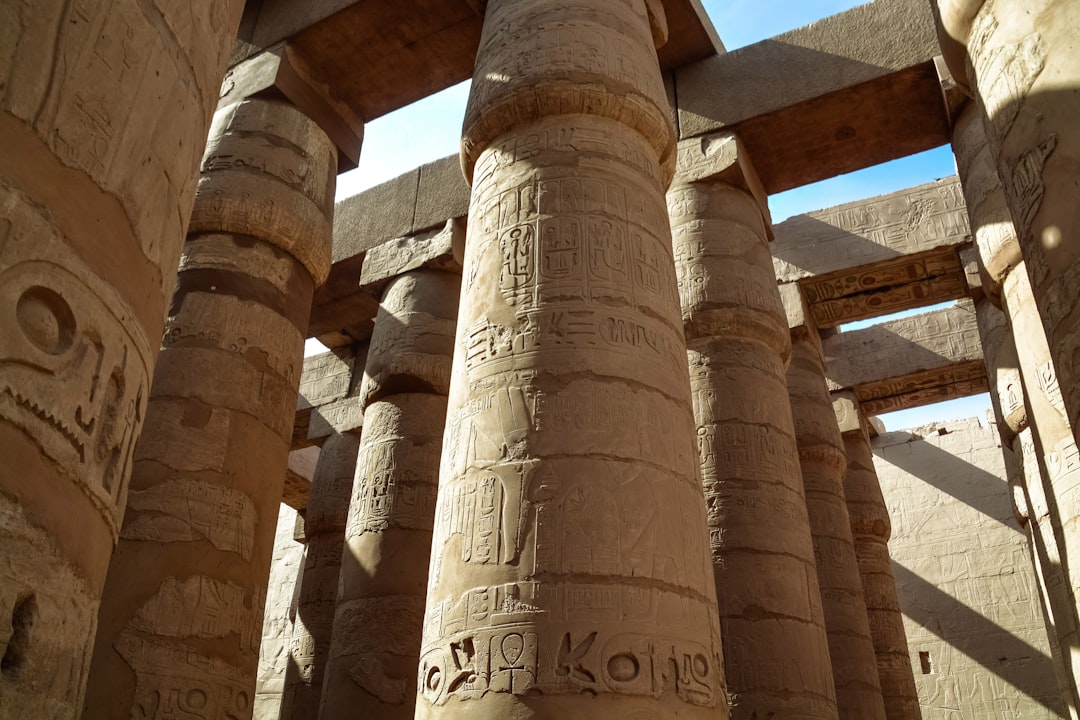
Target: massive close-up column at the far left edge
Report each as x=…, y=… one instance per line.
x=97, y=183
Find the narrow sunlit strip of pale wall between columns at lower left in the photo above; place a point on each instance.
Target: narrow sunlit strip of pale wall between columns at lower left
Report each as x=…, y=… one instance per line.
x=286, y=569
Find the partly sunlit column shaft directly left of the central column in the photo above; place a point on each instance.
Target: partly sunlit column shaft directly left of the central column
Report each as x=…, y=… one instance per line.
x=376, y=641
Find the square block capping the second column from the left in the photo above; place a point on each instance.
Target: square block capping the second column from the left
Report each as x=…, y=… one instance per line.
x=280, y=72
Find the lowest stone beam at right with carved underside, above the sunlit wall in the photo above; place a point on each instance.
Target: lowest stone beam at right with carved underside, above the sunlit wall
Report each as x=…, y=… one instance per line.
x=909, y=363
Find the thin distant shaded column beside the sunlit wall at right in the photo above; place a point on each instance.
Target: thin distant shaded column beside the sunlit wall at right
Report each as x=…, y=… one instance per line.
x=871, y=529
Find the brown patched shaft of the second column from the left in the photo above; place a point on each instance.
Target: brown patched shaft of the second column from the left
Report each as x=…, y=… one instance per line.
x=183, y=603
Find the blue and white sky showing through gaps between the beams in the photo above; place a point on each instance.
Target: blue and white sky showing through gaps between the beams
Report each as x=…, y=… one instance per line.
x=430, y=130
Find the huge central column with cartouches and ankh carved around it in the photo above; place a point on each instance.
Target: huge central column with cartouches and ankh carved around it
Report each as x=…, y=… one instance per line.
x=570, y=570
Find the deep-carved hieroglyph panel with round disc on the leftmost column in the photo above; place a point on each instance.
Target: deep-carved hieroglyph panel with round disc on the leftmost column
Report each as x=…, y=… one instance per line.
x=74, y=369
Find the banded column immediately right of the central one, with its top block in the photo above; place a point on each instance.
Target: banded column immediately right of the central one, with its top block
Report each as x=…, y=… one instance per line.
x=775, y=644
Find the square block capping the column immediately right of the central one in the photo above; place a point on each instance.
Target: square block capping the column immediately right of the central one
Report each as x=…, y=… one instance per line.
x=722, y=158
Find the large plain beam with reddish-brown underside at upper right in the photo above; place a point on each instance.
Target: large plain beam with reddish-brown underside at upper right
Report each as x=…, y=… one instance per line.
x=848, y=92
